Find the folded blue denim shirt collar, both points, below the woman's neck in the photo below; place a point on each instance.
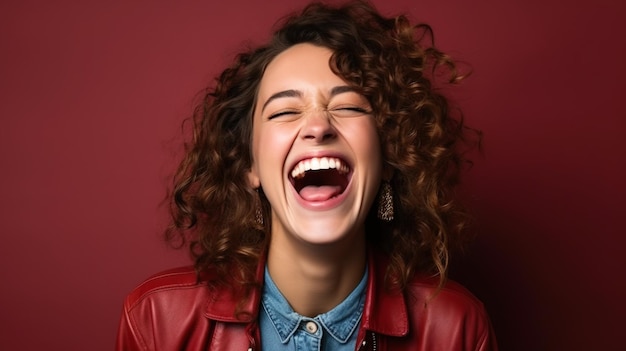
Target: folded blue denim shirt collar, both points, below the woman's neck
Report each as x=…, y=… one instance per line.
x=339, y=323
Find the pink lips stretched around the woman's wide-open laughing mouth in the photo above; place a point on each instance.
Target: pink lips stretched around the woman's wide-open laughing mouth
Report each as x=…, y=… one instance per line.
x=327, y=204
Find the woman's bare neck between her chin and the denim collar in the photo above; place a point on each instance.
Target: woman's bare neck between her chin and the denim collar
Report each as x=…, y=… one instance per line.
x=316, y=278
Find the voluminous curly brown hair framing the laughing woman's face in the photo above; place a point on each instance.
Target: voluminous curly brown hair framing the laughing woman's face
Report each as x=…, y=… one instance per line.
x=391, y=62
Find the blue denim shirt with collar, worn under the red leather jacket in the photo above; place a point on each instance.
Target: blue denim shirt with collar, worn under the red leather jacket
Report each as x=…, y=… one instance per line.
x=284, y=329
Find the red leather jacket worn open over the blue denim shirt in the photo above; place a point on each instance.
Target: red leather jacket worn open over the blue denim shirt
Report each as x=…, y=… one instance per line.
x=172, y=311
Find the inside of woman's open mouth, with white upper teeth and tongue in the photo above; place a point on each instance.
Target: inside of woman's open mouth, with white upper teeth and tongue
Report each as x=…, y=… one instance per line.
x=320, y=178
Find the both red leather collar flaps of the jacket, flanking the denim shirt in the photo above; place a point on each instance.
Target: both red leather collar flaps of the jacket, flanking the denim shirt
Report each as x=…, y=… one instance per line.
x=385, y=311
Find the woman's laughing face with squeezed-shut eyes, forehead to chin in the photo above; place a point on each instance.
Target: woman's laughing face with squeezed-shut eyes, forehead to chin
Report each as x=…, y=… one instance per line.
x=316, y=152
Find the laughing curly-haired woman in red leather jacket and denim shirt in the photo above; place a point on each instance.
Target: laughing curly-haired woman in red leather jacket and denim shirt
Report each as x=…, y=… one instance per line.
x=315, y=199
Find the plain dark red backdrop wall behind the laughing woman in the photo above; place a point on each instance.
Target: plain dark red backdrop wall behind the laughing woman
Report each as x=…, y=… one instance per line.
x=93, y=93
